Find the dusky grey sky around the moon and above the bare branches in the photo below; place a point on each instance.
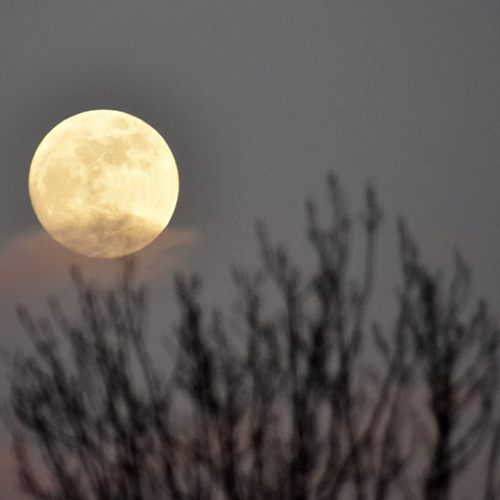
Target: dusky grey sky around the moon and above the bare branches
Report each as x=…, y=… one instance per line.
x=258, y=101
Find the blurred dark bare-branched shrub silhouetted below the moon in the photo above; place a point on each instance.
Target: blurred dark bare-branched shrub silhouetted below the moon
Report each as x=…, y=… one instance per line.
x=280, y=402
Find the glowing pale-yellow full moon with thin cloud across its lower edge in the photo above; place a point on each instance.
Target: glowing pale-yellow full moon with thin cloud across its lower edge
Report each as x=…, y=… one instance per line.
x=103, y=183
